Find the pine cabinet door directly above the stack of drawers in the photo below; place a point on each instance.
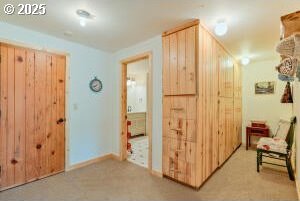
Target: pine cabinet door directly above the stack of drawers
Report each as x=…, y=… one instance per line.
x=179, y=62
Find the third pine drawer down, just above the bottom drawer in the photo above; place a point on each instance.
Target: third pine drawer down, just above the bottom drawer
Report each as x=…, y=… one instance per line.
x=179, y=150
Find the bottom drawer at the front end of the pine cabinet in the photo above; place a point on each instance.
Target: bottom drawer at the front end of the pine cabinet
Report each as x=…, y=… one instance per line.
x=180, y=170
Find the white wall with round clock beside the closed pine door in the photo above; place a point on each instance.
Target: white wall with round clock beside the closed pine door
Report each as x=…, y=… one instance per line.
x=89, y=124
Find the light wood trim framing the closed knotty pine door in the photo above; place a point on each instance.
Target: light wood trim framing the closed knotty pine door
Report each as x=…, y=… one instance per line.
x=67, y=87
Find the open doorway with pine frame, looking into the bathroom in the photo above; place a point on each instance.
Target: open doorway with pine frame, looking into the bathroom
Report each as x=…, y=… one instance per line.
x=136, y=113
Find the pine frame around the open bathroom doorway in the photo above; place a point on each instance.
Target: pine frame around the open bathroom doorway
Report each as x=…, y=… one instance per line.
x=123, y=105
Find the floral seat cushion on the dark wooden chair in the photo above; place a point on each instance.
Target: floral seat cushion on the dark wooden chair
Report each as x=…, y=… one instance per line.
x=272, y=144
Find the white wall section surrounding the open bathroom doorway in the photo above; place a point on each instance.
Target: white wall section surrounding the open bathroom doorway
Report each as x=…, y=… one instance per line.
x=155, y=46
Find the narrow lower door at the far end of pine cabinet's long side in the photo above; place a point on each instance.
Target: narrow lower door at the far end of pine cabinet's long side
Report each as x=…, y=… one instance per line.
x=238, y=121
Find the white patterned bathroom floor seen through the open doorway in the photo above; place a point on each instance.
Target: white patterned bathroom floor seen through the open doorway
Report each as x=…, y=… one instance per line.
x=140, y=148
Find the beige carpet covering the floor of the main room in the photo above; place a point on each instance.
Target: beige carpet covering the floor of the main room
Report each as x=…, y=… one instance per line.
x=114, y=180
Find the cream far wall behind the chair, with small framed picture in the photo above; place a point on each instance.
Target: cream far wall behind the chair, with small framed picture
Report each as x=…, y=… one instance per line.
x=263, y=107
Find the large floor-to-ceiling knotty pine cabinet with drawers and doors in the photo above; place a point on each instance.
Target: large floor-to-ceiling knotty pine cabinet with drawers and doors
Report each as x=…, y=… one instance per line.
x=201, y=104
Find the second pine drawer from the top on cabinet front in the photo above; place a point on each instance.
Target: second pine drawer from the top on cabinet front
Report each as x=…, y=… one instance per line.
x=180, y=129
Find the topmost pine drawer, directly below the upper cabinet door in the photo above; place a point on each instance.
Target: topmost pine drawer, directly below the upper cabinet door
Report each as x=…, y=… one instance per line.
x=183, y=107
